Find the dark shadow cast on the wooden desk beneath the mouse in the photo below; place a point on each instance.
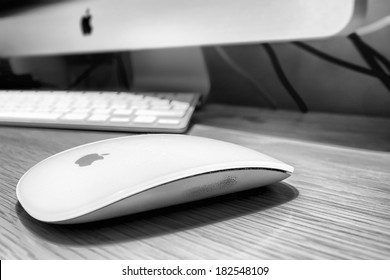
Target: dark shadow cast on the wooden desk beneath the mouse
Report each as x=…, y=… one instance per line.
x=161, y=221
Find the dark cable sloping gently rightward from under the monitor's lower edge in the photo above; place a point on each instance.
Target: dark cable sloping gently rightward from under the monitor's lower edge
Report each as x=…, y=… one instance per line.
x=335, y=60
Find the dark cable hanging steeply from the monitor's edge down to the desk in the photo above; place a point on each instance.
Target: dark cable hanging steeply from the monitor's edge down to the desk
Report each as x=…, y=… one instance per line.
x=283, y=78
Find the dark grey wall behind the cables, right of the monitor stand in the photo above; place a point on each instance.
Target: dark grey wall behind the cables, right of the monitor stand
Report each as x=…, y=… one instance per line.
x=323, y=86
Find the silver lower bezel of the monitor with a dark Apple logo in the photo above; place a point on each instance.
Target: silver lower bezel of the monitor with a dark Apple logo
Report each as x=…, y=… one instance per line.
x=67, y=27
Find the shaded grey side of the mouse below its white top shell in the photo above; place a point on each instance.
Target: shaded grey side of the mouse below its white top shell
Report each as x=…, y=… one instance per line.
x=217, y=183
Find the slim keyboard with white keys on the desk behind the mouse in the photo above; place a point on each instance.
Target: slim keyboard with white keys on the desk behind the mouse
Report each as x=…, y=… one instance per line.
x=114, y=111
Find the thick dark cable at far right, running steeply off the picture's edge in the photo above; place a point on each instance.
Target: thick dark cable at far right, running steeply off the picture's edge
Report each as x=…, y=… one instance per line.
x=370, y=58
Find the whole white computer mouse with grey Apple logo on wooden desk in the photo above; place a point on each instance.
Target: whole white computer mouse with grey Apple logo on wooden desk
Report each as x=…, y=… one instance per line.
x=131, y=174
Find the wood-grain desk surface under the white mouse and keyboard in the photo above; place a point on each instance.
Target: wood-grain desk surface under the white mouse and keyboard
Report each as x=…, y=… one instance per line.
x=335, y=206
